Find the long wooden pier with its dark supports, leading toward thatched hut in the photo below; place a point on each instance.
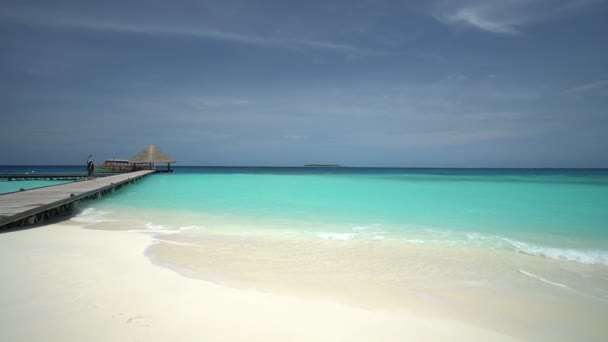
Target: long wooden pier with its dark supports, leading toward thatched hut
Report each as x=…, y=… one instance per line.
x=34, y=206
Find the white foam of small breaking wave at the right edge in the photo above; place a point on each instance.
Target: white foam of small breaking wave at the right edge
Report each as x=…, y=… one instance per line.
x=591, y=257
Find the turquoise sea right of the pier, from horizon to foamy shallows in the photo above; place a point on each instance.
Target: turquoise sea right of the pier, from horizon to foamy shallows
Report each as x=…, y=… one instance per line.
x=561, y=214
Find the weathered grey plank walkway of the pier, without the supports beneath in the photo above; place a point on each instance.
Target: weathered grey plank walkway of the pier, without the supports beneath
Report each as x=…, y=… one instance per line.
x=19, y=205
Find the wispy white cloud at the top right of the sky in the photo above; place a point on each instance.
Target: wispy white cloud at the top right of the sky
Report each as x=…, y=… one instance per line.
x=505, y=16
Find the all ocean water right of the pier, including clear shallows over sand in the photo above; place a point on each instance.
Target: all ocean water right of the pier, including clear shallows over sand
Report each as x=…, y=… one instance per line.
x=481, y=245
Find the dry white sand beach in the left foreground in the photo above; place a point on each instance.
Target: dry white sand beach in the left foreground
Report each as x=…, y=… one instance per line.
x=64, y=283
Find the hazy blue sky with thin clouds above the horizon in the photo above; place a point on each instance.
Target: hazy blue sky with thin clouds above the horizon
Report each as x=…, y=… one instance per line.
x=436, y=83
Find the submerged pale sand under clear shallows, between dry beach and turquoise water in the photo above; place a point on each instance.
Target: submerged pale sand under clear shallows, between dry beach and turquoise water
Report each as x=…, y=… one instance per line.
x=492, y=290
